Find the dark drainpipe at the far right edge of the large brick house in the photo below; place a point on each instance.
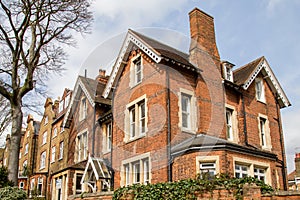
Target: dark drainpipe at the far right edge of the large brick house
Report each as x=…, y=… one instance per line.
x=283, y=162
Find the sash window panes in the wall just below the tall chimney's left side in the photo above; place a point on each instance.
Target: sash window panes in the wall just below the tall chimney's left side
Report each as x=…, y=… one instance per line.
x=186, y=111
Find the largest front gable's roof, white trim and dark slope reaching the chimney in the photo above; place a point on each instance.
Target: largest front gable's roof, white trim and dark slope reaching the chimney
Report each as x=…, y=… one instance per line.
x=156, y=50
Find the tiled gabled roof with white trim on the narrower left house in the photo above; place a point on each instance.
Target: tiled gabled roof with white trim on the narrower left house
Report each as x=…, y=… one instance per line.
x=88, y=87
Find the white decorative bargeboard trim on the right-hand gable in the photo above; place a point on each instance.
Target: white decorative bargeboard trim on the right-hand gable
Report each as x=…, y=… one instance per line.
x=271, y=80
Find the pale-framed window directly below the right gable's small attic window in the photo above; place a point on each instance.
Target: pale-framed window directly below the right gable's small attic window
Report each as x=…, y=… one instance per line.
x=264, y=132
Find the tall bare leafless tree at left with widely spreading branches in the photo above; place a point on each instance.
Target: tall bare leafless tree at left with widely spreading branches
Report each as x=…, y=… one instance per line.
x=32, y=35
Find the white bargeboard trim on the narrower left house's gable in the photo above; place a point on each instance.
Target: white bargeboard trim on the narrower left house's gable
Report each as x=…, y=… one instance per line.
x=74, y=95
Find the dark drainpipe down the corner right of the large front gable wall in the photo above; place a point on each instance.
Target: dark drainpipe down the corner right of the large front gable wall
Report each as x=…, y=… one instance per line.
x=169, y=127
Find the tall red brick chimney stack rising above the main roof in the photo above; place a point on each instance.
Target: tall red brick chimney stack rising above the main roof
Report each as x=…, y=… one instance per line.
x=202, y=32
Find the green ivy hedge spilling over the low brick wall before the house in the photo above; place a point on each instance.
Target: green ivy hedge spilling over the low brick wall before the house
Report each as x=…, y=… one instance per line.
x=188, y=188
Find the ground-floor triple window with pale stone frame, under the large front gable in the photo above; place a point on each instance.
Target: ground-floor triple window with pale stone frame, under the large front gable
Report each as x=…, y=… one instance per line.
x=136, y=170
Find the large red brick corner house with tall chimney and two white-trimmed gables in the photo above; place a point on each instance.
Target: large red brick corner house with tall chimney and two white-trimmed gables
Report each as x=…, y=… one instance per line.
x=176, y=115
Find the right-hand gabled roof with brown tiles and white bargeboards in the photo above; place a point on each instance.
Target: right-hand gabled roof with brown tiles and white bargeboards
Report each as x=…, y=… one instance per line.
x=245, y=75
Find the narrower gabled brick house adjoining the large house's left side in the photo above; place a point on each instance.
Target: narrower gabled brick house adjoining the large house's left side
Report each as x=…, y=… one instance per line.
x=84, y=133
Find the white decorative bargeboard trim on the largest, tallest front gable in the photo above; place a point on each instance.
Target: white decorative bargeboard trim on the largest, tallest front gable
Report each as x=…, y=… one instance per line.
x=130, y=39
